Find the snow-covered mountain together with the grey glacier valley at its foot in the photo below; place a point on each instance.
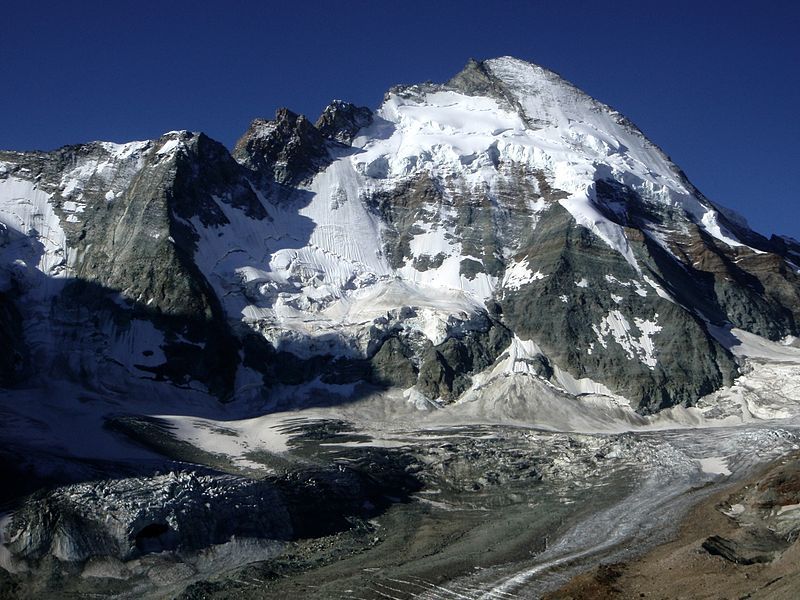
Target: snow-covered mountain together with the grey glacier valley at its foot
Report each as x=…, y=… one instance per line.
x=393, y=352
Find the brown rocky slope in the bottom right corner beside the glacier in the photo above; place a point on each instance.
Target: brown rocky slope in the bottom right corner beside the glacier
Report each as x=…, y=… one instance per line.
x=740, y=543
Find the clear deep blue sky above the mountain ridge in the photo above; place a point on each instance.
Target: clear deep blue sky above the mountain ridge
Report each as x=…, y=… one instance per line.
x=716, y=84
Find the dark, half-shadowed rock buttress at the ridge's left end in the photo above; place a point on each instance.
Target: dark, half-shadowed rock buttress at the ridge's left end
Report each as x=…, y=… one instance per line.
x=125, y=216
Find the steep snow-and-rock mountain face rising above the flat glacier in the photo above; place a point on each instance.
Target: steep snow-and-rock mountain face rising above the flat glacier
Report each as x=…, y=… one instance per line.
x=501, y=225
